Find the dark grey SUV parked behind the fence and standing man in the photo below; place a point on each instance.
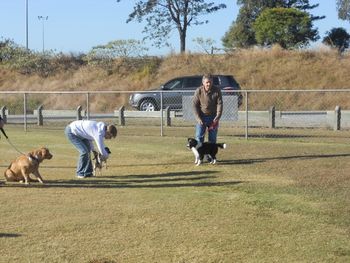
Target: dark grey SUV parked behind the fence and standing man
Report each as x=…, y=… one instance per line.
x=176, y=88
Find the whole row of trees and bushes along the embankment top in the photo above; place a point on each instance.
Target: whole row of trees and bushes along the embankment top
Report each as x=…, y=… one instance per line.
x=287, y=23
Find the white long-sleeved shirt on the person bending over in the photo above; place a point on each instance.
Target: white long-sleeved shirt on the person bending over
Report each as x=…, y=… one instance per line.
x=93, y=131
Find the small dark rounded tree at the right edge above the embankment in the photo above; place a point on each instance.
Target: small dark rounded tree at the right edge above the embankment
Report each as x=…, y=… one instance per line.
x=338, y=38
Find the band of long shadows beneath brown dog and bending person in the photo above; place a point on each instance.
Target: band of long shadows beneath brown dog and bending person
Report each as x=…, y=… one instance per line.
x=165, y=180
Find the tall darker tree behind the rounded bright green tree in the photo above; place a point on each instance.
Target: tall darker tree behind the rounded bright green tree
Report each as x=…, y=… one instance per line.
x=241, y=32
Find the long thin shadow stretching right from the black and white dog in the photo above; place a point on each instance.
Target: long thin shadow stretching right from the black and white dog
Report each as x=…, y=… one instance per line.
x=300, y=157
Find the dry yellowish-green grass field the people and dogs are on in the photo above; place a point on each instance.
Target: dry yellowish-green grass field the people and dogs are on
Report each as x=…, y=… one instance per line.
x=269, y=199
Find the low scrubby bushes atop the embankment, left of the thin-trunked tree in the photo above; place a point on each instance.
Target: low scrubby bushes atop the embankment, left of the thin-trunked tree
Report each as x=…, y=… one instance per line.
x=48, y=64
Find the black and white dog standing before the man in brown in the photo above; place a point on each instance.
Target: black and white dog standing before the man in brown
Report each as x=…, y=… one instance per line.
x=206, y=148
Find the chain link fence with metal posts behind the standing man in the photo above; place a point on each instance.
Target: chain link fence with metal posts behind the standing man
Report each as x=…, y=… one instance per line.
x=247, y=113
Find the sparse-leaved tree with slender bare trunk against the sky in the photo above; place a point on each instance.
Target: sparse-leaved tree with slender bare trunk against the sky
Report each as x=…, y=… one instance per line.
x=163, y=16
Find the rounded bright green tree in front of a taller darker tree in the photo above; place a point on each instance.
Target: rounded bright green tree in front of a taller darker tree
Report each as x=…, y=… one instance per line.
x=288, y=27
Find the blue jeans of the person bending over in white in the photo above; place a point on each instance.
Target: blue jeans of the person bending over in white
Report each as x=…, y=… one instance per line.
x=84, y=166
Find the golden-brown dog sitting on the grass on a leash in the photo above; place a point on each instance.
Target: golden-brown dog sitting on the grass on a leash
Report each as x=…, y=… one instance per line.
x=20, y=169
